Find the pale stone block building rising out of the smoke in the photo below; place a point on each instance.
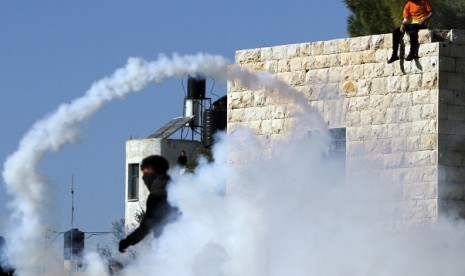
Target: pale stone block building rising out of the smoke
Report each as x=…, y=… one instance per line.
x=407, y=118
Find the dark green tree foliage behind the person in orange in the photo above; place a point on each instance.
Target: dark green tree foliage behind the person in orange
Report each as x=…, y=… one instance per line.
x=383, y=16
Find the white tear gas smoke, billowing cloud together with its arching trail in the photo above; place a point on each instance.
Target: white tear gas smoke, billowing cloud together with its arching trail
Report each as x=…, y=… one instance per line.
x=290, y=214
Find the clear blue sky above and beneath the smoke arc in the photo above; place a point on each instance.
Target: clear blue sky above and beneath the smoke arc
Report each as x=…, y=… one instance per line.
x=51, y=52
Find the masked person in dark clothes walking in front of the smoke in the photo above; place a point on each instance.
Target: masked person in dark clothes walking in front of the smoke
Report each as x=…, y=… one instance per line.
x=158, y=211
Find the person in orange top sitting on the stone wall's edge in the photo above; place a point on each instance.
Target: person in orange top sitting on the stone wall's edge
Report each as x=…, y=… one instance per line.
x=416, y=15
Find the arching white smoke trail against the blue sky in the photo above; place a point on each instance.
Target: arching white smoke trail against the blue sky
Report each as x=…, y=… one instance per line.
x=28, y=187
